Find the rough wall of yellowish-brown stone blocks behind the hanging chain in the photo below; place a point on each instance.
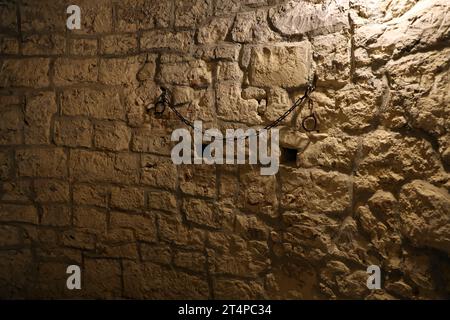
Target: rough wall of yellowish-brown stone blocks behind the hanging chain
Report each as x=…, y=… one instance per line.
x=86, y=176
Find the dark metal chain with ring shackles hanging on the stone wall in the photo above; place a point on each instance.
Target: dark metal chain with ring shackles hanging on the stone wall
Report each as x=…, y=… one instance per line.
x=164, y=102
